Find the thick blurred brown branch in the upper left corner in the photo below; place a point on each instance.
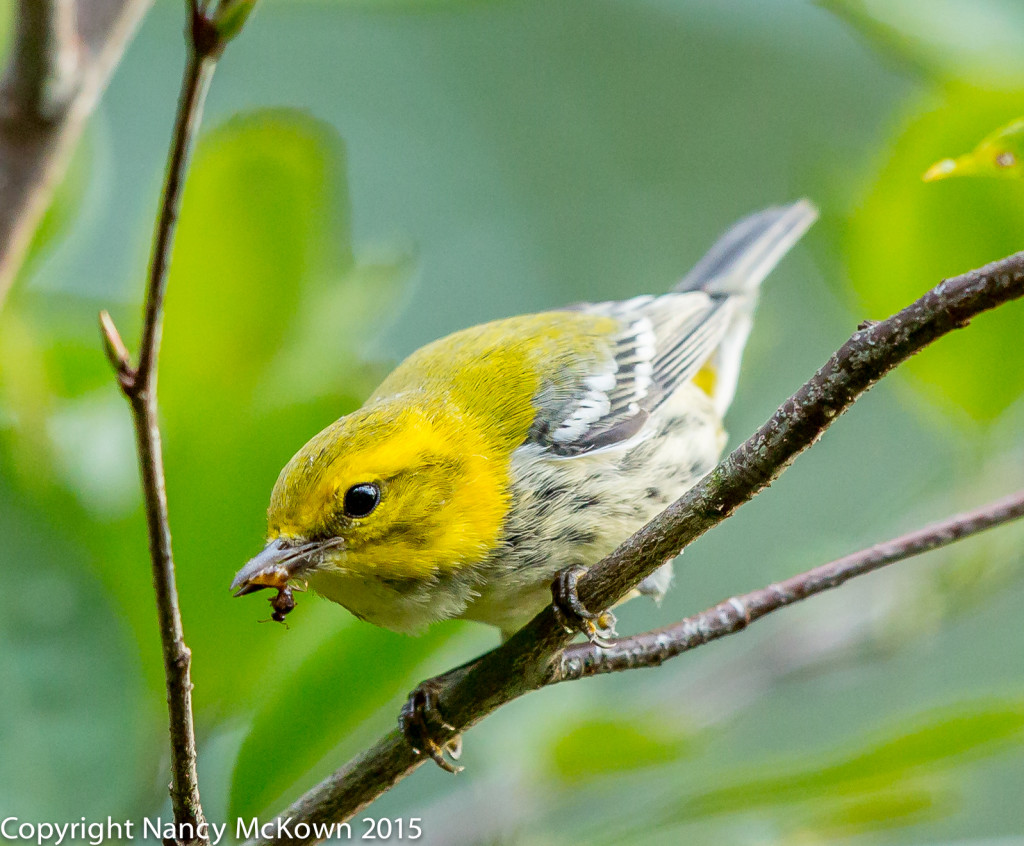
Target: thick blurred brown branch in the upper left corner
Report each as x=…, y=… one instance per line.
x=62, y=58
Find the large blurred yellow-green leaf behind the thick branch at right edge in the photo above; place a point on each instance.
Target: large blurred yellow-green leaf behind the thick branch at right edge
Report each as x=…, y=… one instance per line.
x=907, y=236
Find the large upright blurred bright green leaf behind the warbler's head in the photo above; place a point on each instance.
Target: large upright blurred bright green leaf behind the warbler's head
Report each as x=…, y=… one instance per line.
x=264, y=266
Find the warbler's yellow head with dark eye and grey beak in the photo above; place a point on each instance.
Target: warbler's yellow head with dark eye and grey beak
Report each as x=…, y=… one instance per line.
x=385, y=492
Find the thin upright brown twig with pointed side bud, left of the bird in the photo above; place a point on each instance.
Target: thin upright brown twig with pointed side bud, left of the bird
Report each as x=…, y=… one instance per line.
x=140, y=387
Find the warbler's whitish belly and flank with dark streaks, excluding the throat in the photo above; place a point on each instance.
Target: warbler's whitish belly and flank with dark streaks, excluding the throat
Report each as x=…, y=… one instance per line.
x=577, y=511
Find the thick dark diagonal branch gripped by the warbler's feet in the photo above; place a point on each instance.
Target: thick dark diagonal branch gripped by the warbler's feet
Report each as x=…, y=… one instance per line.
x=530, y=659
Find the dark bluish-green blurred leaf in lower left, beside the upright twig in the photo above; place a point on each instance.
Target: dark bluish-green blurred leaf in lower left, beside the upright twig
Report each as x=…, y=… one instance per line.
x=64, y=654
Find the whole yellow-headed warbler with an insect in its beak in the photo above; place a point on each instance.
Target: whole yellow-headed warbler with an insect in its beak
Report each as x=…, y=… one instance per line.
x=493, y=459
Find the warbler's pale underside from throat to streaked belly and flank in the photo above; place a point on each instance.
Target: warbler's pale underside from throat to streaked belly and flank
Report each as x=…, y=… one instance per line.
x=566, y=512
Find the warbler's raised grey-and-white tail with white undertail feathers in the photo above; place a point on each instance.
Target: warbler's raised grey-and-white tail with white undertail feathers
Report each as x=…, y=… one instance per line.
x=735, y=269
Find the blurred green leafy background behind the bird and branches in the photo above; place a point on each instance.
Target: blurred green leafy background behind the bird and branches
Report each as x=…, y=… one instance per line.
x=373, y=176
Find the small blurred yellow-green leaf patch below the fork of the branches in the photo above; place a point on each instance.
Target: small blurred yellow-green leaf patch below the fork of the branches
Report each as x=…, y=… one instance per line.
x=594, y=748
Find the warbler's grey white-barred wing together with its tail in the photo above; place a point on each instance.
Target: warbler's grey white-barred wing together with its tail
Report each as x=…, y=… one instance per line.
x=665, y=342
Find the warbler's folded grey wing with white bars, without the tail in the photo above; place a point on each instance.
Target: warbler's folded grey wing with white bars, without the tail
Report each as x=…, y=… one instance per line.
x=663, y=343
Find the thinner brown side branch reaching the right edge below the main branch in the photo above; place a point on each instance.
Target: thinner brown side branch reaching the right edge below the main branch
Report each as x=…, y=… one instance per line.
x=735, y=615
